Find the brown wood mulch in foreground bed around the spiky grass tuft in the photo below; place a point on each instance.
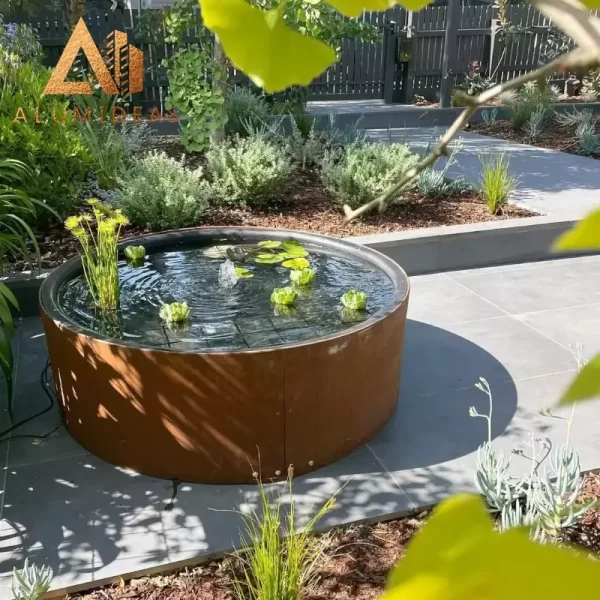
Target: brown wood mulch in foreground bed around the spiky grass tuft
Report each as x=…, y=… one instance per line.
x=355, y=565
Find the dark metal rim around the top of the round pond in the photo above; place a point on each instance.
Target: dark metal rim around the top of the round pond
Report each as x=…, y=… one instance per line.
x=227, y=235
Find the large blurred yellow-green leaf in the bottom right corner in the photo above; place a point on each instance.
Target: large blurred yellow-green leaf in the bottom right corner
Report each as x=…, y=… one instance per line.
x=458, y=554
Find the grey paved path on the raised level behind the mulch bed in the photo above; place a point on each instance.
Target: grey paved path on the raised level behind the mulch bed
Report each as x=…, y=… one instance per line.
x=550, y=182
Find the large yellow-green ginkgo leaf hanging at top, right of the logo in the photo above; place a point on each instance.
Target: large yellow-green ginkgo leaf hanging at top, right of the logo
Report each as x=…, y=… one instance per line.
x=258, y=42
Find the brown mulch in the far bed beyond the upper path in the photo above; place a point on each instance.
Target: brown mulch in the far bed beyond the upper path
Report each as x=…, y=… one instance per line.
x=554, y=137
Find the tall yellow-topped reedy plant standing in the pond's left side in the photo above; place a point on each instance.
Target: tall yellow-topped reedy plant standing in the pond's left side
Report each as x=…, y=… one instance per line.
x=98, y=236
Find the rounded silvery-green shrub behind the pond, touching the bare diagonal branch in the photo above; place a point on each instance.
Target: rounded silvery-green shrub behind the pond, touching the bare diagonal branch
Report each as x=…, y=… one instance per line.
x=361, y=172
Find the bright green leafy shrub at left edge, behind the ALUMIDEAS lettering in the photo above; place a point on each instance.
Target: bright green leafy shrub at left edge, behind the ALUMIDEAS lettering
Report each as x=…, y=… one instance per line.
x=55, y=152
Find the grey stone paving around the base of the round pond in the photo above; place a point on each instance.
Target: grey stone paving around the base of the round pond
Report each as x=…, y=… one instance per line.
x=512, y=325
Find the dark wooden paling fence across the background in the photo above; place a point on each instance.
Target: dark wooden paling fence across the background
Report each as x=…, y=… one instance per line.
x=407, y=62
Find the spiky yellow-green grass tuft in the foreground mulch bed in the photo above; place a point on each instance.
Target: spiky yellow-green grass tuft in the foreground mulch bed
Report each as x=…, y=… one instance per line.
x=279, y=561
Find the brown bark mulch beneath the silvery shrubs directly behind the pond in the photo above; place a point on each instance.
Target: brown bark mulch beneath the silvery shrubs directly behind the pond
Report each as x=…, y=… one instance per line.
x=304, y=204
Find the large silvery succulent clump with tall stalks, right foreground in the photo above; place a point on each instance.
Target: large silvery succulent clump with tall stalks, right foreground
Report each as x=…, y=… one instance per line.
x=544, y=500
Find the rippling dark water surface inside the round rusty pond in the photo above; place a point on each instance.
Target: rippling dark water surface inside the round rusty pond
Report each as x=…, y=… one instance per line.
x=229, y=319
